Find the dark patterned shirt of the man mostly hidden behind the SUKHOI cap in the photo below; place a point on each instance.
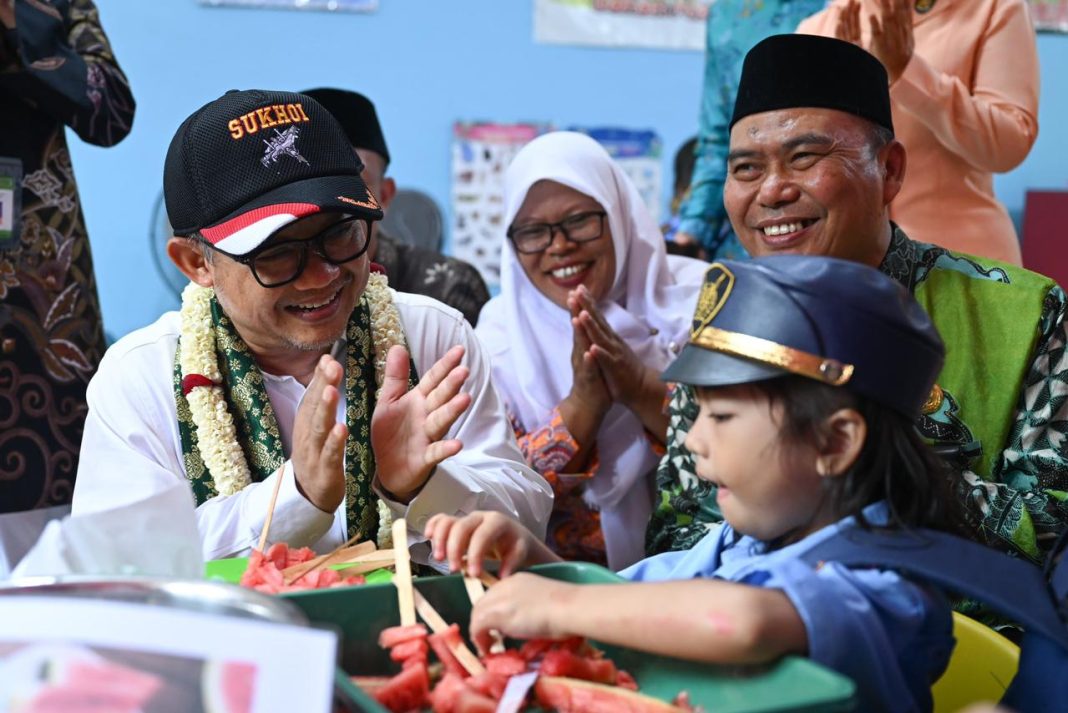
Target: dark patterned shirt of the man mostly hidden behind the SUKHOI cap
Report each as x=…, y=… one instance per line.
x=420, y=272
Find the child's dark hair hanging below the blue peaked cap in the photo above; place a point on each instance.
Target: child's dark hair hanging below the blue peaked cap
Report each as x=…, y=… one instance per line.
x=896, y=465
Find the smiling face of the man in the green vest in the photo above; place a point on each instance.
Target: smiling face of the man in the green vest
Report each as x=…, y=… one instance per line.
x=813, y=182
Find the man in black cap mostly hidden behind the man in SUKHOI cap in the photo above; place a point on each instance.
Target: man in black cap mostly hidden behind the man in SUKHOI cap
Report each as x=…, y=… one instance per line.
x=411, y=270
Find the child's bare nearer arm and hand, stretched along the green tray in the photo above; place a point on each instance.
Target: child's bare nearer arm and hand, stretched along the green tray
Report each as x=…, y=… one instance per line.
x=709, y=621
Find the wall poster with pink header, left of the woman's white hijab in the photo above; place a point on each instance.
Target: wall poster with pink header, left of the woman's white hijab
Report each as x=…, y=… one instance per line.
x=481, y=153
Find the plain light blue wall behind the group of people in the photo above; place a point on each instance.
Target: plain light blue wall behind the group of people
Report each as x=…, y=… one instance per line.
x=427, y=64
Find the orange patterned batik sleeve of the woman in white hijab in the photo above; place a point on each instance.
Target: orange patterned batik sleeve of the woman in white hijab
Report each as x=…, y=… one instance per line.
x=575, y=531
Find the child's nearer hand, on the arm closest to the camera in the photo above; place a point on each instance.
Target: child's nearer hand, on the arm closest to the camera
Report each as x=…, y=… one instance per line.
x=523, y=607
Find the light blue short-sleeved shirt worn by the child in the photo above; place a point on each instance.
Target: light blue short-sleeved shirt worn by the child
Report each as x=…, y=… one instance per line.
x=890, y=636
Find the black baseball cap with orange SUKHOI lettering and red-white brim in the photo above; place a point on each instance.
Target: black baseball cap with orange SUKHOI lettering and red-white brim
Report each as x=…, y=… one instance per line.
x=248, y=164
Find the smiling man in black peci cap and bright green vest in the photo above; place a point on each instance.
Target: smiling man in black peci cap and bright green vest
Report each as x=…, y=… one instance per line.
x=812, y=169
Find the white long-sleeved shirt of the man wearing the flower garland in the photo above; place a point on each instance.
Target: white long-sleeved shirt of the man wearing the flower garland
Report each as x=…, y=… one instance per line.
x=132, y=448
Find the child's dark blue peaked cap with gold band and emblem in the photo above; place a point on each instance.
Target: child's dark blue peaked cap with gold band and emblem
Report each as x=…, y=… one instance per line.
x=837, y=322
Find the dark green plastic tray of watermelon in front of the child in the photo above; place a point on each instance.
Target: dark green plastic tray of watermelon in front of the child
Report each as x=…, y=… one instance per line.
x=360, y=613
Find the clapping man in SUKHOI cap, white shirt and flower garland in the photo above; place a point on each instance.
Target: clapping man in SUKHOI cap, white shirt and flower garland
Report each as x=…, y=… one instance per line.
x=284, y=391
